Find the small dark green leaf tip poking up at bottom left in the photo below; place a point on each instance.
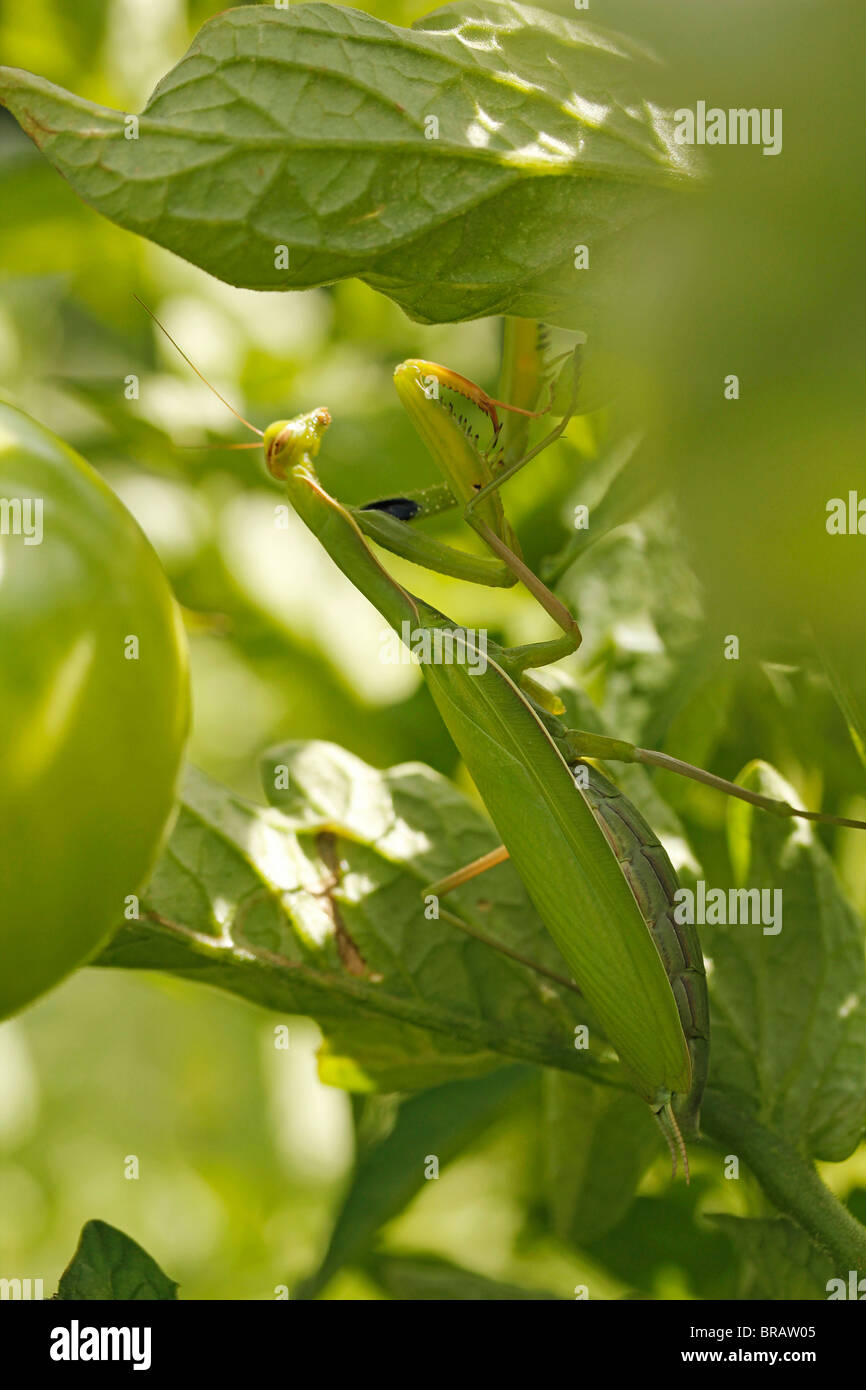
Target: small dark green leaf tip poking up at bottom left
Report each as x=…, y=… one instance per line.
x=111, y=1266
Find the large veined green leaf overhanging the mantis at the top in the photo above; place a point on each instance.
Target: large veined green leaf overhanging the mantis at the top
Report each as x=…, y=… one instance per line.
x=309, y=129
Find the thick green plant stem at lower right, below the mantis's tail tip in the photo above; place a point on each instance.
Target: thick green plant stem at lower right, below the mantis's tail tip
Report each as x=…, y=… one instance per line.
x=789, y=1181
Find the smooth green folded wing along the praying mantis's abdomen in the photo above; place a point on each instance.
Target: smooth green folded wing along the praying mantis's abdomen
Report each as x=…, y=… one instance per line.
x=573, y=876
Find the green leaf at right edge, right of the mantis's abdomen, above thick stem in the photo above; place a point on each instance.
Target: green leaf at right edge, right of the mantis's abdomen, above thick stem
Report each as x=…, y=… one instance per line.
x=789, y=1011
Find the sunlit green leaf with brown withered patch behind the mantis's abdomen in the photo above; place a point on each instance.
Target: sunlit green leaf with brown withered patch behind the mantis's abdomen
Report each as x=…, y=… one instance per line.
x=318, y=910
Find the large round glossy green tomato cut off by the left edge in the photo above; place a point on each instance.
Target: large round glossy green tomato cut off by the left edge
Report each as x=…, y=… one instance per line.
x=94, y=710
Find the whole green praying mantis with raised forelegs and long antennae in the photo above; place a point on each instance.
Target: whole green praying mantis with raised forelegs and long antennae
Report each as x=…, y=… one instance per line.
x=593, y=868
